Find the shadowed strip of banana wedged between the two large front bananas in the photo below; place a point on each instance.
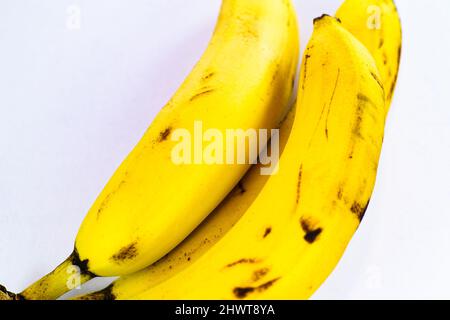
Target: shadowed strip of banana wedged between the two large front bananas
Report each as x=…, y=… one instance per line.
x=212, y=229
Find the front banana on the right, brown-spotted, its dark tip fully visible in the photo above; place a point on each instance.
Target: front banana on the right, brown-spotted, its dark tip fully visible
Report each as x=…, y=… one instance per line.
x=294, y=233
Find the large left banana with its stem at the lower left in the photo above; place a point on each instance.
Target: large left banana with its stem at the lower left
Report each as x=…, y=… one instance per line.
x=151, y=204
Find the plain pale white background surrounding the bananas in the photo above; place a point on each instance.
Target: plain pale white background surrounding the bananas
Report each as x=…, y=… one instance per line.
x=73, y=102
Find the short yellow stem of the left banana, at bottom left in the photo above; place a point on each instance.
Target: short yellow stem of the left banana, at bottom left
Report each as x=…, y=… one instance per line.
x=69, y=275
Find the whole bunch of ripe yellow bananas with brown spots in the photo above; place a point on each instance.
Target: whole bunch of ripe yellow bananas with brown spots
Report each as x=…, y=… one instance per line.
x=216, y=231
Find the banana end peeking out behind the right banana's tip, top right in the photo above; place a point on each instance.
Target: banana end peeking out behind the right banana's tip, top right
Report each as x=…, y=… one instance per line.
x=377, y=25
